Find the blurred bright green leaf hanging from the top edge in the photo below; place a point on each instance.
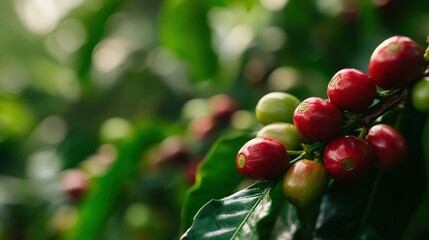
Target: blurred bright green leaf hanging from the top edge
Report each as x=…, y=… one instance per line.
x=185, y=31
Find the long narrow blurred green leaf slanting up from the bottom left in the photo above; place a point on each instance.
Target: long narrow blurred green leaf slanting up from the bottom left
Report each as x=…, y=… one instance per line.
x=99, y=205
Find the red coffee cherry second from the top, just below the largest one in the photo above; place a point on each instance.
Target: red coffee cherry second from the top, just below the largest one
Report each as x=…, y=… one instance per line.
x=351, y=90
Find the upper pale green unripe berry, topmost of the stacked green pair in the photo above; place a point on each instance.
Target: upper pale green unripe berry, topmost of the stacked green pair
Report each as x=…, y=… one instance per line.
x=276, y=107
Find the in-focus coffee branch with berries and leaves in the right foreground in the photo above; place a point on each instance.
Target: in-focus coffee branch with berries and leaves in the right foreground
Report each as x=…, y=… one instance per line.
x=322, y=168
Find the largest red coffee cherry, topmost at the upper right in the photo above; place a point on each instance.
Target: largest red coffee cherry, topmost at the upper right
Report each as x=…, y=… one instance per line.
x=396, y=63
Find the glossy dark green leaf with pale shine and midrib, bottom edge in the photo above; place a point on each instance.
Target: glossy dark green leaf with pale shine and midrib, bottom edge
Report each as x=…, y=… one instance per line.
x=233, y=217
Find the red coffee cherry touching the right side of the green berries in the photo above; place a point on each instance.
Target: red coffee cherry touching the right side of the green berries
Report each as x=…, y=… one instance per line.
x=317, y=119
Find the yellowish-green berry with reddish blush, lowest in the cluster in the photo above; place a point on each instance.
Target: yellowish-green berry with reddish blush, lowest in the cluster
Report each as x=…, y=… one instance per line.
x=305, y=183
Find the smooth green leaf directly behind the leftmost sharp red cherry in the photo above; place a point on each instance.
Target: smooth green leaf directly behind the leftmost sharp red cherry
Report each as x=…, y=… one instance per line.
x=217, y=176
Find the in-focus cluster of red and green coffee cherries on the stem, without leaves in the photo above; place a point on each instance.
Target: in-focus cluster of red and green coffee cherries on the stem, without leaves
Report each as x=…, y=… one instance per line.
x=340, y=138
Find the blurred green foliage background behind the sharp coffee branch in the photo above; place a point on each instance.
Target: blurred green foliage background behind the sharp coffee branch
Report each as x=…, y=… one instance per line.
x=107, y=88
